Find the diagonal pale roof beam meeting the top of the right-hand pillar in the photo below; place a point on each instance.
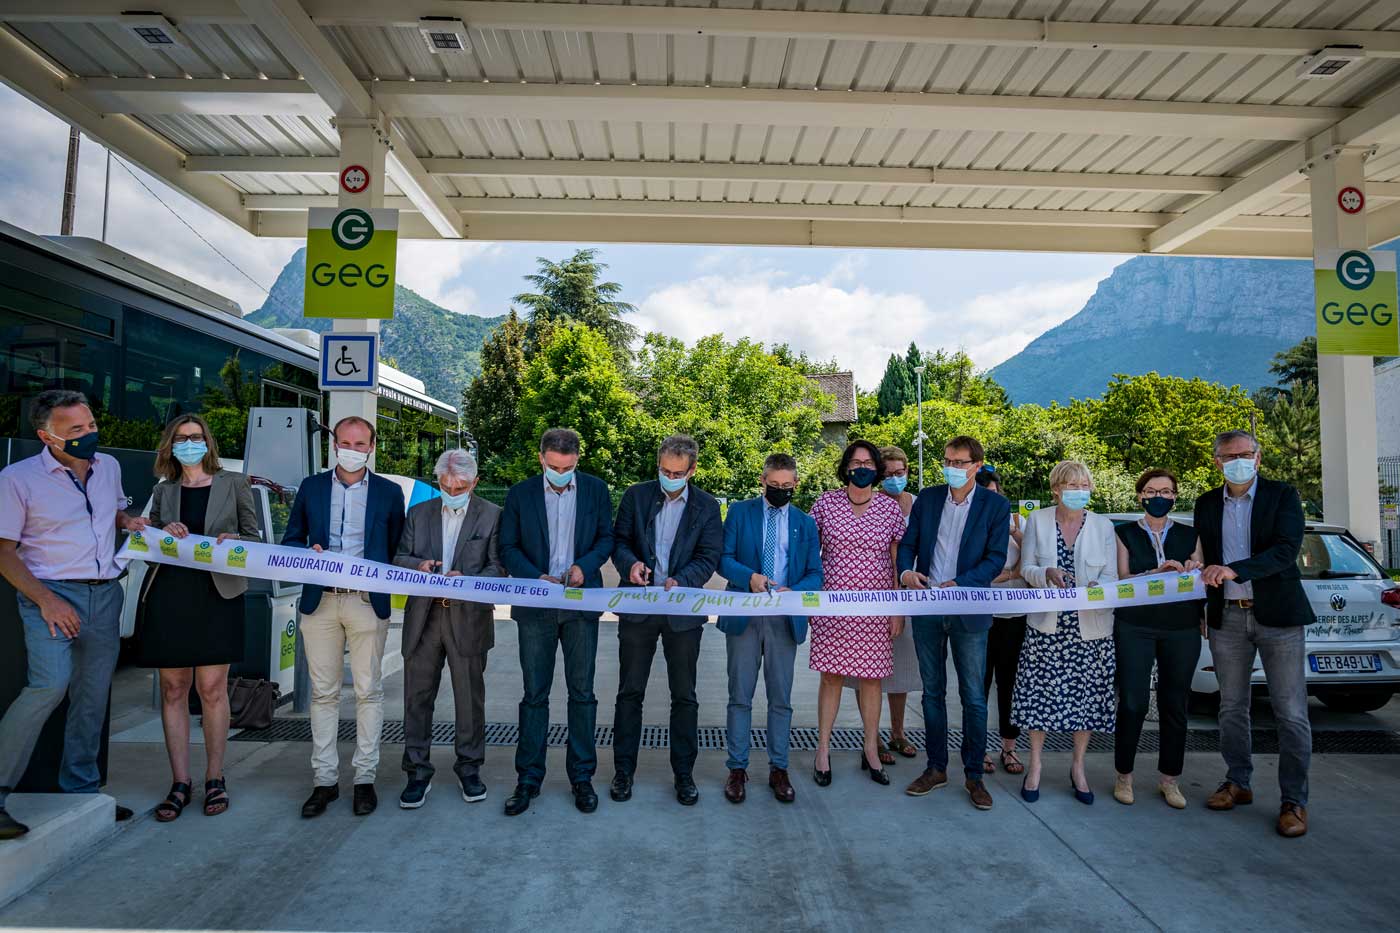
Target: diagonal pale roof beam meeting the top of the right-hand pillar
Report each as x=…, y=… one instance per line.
x=1373, y=124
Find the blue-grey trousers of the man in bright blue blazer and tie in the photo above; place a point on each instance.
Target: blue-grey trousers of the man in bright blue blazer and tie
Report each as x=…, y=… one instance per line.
x=766, y=642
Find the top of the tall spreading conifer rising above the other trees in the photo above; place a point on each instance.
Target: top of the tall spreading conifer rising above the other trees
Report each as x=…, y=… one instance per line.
x=572, y=292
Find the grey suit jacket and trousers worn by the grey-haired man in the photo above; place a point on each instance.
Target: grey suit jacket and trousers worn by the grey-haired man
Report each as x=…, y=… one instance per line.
x=449, y=631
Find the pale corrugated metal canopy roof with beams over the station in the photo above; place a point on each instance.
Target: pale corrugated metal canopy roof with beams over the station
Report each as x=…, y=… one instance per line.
x=1168, y=127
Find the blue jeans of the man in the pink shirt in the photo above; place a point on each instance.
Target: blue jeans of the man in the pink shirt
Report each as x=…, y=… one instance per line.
x=82, y=669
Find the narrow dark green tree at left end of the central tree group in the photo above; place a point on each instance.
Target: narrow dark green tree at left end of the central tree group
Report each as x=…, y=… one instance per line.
x=491, y=403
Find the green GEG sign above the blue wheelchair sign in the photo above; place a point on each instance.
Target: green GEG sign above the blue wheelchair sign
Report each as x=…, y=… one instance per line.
x=351, y=258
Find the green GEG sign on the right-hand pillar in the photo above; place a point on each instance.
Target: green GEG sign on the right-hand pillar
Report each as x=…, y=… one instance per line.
x=1356, y=293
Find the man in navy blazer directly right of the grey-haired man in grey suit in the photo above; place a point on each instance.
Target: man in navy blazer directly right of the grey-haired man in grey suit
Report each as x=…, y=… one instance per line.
x=556, y=527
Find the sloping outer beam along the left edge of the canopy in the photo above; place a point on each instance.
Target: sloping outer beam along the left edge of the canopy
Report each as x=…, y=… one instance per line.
x=36, y=79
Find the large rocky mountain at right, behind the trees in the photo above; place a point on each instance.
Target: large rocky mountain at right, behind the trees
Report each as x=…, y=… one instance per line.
x=1221, y=320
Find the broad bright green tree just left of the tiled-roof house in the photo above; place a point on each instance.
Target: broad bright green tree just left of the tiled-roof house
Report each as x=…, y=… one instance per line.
x=738, y=400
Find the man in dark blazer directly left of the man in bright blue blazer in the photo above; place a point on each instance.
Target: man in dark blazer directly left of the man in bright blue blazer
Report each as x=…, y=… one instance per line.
x=668, y=533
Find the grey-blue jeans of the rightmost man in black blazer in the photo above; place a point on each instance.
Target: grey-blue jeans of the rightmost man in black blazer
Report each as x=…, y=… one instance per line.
x=1284, y=655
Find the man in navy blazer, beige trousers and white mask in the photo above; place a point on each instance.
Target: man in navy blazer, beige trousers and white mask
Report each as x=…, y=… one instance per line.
x=346, y=511
